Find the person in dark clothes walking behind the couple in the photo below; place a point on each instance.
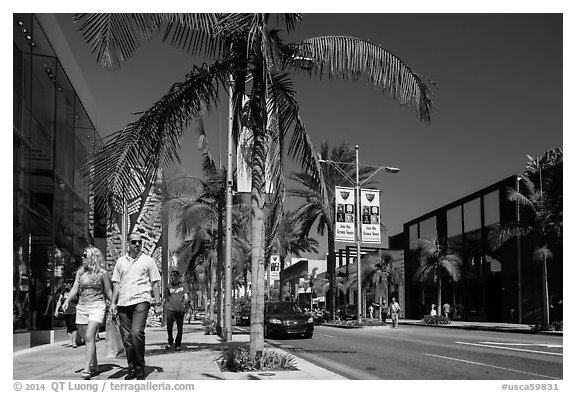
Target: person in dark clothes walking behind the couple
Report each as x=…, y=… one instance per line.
x=176, y=302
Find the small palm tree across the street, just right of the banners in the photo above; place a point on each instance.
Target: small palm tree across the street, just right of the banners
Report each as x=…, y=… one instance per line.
x=377, y=269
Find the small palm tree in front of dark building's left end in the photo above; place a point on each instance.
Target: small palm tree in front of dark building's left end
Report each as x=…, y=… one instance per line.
x=437, y=261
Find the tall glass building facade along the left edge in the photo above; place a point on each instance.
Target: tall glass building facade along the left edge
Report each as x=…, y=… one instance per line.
x=53, y=136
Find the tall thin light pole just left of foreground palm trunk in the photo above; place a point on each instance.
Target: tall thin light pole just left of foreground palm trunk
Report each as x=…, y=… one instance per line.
x=228, y=252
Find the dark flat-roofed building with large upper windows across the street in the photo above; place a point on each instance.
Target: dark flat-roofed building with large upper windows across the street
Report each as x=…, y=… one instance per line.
x=496, y=286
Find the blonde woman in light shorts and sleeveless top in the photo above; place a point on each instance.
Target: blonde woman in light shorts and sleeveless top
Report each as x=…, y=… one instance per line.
x=92, y=284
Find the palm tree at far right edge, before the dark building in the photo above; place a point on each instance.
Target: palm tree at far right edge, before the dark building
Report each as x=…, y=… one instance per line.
x=541, y=222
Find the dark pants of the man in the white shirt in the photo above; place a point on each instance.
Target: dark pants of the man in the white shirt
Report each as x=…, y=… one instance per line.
x=132, y=324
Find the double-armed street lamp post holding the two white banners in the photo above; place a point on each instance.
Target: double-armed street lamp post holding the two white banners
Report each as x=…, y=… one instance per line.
x=357, y=185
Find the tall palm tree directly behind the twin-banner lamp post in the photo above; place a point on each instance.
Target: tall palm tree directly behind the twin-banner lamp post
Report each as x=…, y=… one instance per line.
x=315, y=210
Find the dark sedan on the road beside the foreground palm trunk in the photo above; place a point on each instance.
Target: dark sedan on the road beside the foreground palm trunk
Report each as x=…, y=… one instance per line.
x=286, y=319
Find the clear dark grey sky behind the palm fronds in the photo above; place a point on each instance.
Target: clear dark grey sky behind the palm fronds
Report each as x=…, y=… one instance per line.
x=499, y=98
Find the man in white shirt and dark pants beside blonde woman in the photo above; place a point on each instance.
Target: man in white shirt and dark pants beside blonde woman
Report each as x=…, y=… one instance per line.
x=135, y=277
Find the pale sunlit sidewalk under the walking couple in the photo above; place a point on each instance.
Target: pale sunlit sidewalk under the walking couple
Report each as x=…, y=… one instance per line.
x=196, y=361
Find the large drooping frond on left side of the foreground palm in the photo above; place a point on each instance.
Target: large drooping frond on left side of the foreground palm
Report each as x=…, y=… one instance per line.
x=153, y=141
